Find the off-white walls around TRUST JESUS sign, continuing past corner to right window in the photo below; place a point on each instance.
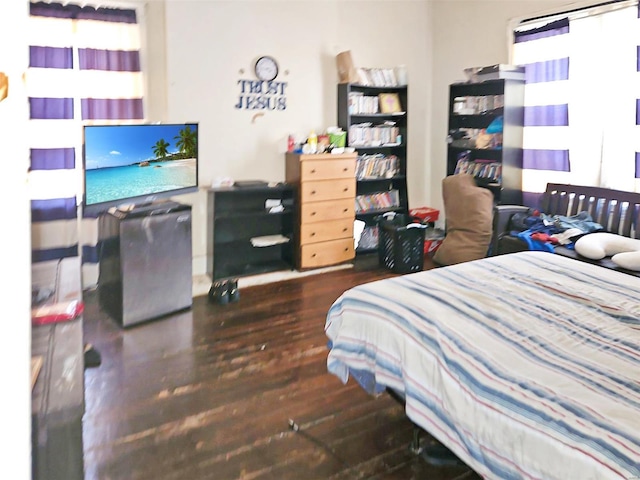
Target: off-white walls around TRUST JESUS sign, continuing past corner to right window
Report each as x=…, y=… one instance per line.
x=211, y=44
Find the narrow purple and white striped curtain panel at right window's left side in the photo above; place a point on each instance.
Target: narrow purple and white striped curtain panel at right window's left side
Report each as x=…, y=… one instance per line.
x=543, y=51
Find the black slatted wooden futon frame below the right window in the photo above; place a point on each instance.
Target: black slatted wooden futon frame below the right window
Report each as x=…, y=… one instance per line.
x=617, y=211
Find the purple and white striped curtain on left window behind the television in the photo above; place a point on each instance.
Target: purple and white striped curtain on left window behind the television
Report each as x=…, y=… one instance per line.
x=84, y=68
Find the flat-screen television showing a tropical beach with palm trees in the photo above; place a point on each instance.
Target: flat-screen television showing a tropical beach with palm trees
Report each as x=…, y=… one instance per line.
x=138, y=164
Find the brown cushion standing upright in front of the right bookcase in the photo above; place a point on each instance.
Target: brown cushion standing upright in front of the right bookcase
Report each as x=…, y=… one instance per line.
x=469, y=211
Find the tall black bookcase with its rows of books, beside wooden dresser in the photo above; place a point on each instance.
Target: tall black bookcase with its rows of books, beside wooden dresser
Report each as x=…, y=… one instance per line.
x=375, y=119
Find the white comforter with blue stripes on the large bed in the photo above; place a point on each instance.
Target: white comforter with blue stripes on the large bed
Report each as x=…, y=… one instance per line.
x=524, y=365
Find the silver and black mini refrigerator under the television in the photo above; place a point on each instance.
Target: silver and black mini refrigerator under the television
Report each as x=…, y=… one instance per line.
x=145, y=262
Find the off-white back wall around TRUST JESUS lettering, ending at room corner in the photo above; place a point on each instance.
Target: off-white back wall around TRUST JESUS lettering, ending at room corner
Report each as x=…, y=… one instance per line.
x=213, y=44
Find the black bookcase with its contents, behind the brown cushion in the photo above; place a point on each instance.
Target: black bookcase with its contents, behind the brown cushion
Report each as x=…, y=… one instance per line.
x=495, y=159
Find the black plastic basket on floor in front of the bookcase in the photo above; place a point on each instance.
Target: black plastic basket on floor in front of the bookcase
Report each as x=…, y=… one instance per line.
x=401, y=246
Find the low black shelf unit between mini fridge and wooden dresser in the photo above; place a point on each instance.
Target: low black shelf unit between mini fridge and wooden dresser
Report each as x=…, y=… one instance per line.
x=236, y=215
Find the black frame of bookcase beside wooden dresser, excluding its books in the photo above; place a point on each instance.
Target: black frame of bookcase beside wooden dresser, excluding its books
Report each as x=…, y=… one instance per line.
x=347, y=118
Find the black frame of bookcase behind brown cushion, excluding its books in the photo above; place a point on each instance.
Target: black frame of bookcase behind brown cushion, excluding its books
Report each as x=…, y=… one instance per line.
x=509, y=155
